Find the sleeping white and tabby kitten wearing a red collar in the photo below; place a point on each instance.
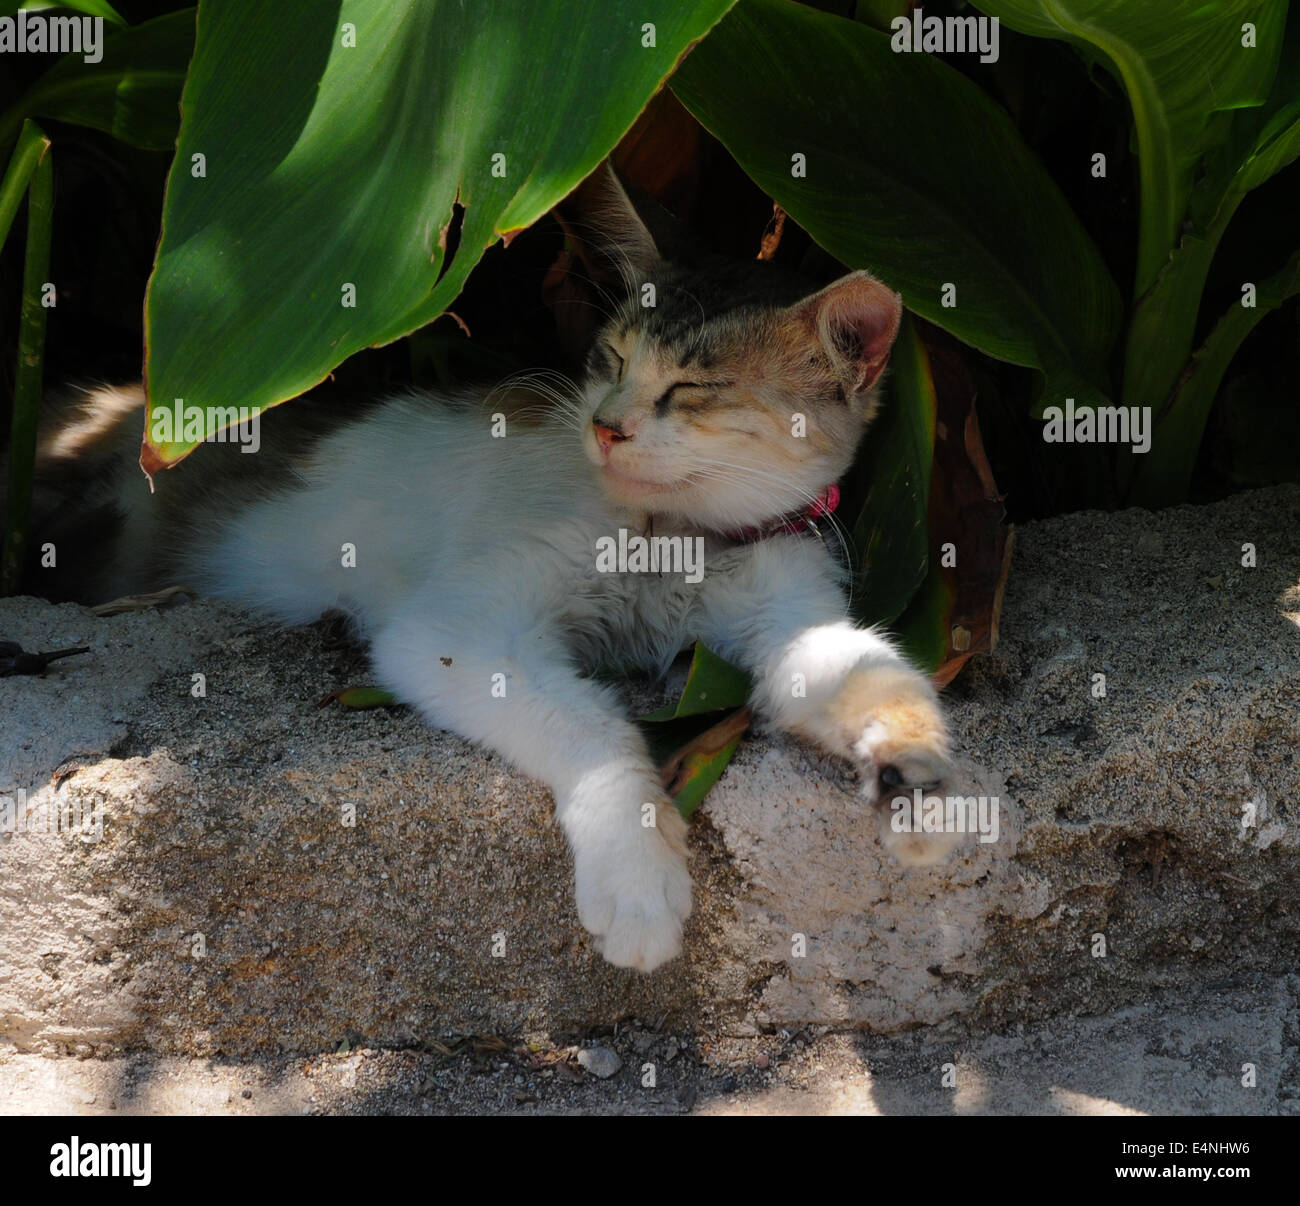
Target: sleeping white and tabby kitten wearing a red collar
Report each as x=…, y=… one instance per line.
x=465, y=545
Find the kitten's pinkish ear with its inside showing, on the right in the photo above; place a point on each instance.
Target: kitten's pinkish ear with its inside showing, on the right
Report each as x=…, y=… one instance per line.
x=856, y=320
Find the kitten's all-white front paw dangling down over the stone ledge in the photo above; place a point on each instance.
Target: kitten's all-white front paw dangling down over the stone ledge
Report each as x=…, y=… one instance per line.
x=635, y=900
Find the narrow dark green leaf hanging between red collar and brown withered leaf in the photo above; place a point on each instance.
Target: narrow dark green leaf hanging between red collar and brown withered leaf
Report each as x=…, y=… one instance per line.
x=890, y=532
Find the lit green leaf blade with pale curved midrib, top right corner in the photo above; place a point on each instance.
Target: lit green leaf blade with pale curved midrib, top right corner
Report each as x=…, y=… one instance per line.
x=1185, y=70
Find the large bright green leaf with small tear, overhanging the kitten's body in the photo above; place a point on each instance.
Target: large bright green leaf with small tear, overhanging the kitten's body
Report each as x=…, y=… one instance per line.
x=335, y=146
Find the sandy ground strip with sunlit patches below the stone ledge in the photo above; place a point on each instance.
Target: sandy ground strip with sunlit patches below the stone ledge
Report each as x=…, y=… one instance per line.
x=1181, y=1056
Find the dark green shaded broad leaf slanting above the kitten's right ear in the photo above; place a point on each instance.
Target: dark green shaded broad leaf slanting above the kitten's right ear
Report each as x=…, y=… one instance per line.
x=913, y=172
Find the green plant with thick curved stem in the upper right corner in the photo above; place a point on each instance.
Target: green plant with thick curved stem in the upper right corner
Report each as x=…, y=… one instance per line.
x=1215, y=96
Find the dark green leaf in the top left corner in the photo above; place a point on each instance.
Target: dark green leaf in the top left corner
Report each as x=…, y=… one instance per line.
x=133, y=93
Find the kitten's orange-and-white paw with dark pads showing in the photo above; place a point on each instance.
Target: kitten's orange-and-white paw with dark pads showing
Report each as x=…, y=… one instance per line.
x=896, y=735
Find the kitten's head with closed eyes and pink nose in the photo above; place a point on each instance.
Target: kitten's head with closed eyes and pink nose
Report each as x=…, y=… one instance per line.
x=729, y=393
